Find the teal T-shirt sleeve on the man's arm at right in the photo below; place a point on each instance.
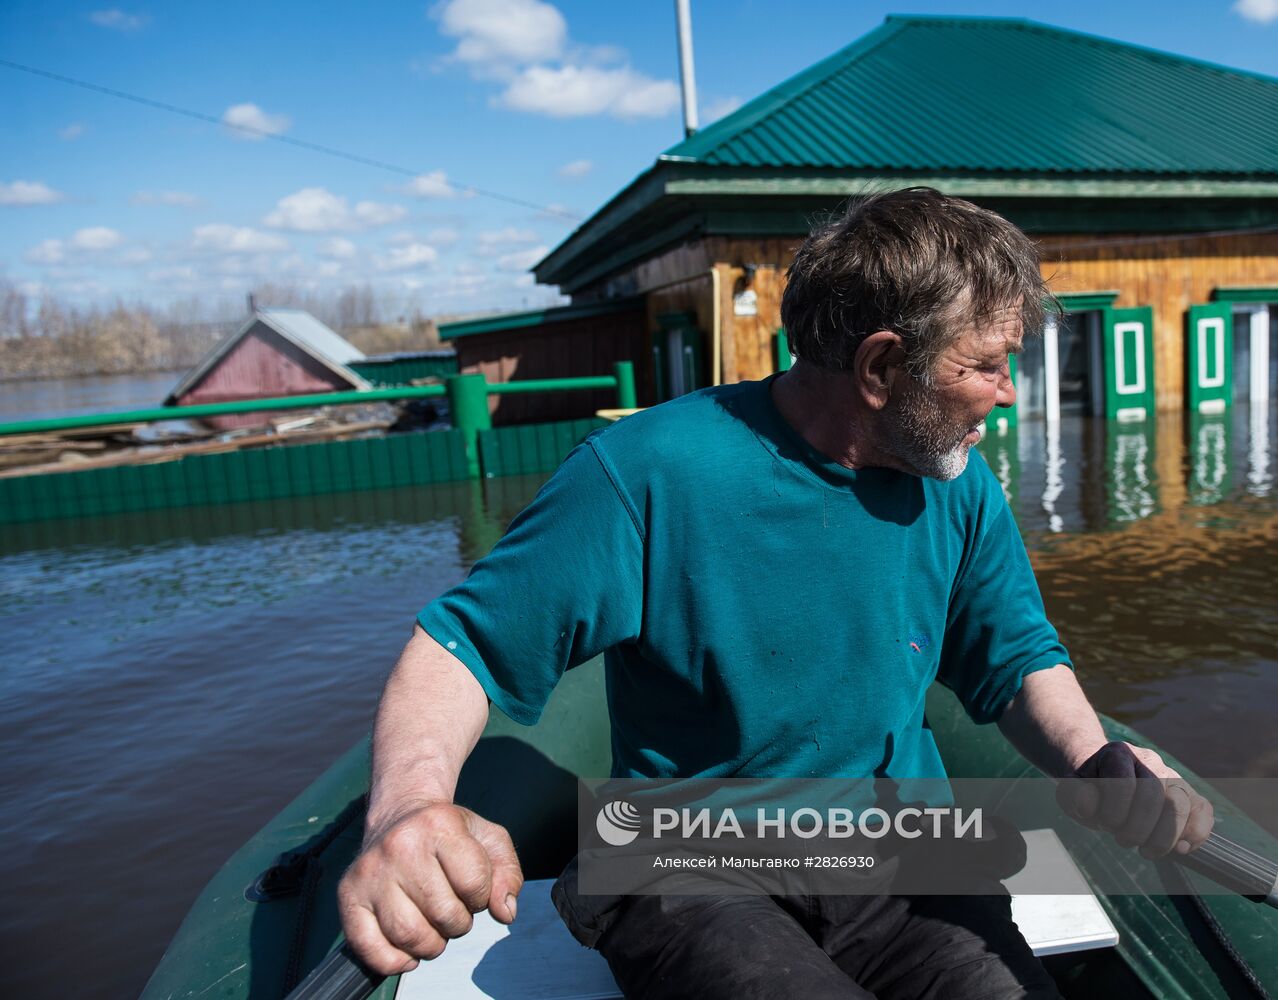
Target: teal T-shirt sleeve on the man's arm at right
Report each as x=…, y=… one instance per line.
x=996, y=631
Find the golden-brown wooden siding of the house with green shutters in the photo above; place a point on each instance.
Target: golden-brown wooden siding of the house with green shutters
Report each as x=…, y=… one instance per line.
x=1169, y=273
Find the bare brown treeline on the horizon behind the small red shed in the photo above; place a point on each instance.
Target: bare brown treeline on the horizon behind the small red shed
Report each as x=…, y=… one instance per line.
x=52, y=340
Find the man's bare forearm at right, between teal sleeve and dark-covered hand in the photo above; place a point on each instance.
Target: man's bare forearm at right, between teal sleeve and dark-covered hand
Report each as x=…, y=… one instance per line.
x=1051, y=722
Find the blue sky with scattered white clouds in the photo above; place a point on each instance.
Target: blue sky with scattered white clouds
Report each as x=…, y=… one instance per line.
x=558, y=105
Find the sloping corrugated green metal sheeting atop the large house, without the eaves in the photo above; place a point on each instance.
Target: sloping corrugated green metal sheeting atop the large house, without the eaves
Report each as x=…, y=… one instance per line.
x=1008, y=95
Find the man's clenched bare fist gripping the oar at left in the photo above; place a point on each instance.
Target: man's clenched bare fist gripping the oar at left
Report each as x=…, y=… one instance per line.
x=419, y=882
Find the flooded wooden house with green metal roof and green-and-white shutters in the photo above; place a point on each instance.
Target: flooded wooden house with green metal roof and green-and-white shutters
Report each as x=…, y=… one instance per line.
x=1150, y=180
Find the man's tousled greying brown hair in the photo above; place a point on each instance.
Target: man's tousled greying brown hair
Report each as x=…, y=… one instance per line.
x=917, y=263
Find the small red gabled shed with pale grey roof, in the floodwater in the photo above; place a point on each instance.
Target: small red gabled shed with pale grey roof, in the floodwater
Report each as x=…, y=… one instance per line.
x=274, y=354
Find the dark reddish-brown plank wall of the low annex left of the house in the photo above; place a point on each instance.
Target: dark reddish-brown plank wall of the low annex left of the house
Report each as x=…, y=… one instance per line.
x=587, y=346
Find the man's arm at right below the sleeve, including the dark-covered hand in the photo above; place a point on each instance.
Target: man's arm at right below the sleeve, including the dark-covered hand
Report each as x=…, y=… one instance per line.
x=1138, y=797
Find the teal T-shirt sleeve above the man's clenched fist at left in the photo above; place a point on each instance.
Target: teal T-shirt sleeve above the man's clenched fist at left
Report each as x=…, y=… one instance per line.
x=563, y=585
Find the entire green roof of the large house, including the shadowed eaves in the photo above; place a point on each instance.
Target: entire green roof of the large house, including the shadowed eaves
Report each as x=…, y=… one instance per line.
x=1059, y=131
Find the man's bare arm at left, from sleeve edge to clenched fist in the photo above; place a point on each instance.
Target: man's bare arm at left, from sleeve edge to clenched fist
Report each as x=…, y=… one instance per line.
x=427, y=865
